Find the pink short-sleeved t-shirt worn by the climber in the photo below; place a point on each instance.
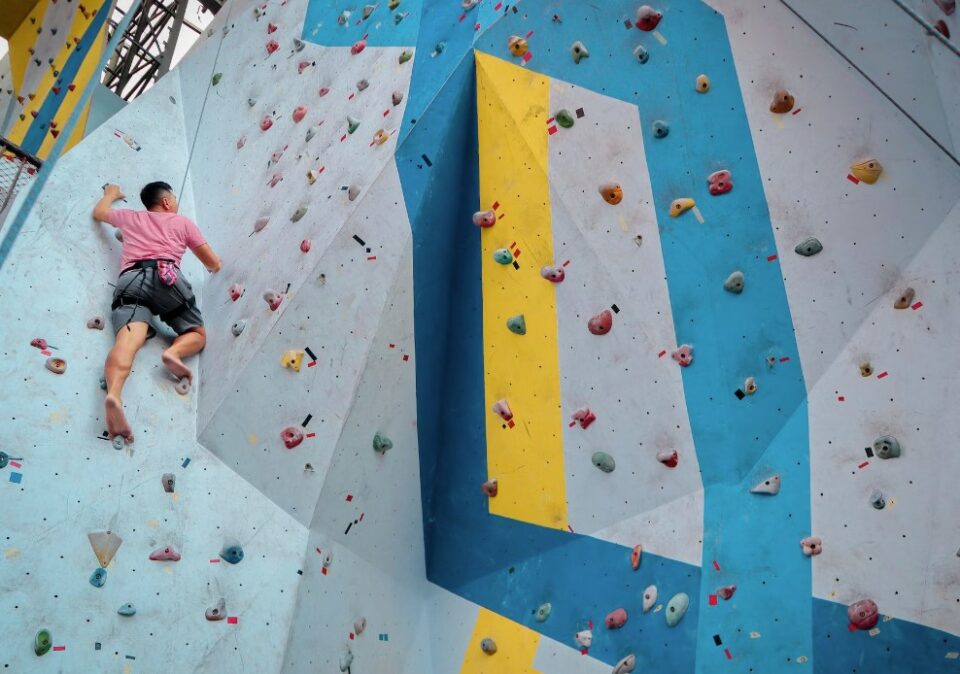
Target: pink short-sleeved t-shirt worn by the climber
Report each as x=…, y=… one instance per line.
x=149, y=235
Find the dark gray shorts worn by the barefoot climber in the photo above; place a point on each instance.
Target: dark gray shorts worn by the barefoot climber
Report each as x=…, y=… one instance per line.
x=145, y=285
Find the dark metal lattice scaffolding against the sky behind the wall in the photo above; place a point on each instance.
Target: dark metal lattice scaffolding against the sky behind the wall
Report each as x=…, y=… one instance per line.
x=146, y=51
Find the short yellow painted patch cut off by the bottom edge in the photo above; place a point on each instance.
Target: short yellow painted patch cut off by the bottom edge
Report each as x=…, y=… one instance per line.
x=516, y=647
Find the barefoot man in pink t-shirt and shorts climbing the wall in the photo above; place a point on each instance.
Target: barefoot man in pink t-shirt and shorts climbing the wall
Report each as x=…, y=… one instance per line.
x=151, y=284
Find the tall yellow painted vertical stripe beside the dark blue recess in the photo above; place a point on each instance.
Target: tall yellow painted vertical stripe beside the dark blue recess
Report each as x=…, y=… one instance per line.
x=526, y=460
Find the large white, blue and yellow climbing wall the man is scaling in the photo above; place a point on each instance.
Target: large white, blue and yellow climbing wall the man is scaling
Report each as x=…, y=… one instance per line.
x=550, y=337
